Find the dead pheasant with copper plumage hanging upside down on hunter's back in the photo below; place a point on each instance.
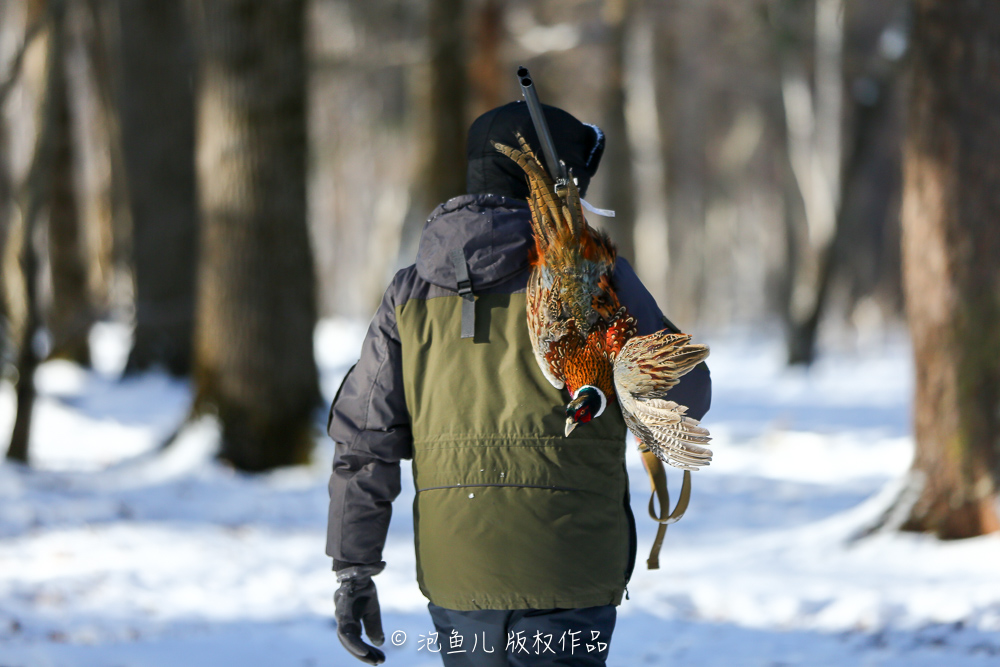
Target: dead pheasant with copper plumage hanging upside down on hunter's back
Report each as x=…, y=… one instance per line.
x=586, y=341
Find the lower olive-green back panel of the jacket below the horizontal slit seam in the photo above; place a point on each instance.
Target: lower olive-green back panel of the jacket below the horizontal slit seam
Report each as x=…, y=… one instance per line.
x=528, y=546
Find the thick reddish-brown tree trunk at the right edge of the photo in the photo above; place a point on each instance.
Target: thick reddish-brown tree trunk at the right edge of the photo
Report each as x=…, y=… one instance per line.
x=951, y=205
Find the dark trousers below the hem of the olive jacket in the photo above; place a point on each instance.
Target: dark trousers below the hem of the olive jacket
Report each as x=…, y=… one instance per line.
x=524, y=637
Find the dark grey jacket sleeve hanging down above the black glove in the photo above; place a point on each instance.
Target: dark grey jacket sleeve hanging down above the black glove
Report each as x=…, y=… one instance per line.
x=371, y=427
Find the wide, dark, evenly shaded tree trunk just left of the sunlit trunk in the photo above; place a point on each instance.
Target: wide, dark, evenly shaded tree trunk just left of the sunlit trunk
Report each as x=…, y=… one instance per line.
x=157, y=69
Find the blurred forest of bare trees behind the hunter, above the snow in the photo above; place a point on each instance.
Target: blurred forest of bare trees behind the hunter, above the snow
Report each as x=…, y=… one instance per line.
x=220, y=173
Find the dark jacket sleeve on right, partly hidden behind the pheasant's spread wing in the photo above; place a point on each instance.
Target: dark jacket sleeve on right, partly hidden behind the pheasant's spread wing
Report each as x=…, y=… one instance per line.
x=694, y=389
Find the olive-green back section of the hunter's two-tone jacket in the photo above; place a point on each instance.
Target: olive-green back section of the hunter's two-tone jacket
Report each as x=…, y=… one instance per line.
x=509, y=513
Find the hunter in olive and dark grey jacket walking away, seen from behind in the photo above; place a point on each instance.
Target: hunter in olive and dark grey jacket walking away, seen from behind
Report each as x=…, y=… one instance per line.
x=524, y=537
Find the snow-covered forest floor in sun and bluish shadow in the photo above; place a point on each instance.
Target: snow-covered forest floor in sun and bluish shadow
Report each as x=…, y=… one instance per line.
x=112, y=553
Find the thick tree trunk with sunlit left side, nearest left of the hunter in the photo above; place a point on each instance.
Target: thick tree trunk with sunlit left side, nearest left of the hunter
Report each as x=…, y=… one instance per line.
x=256, y=309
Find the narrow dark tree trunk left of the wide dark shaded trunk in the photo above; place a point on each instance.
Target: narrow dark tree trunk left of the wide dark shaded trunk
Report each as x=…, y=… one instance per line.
x=71, y=312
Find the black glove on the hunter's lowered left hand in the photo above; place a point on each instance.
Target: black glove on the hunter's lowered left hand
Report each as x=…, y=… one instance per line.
x=356, y=601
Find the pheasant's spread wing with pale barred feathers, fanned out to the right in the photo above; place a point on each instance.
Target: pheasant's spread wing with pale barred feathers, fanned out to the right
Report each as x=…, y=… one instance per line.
x=645, y=369
